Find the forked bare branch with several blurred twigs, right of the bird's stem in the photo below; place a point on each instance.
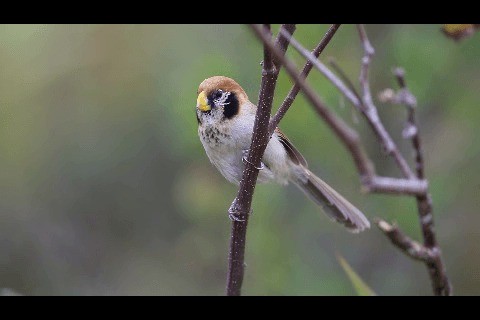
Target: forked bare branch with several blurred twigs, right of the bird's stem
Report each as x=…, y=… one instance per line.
x=413, y=184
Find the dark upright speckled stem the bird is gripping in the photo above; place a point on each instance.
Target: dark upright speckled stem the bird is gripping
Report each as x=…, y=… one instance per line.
x=241, y=205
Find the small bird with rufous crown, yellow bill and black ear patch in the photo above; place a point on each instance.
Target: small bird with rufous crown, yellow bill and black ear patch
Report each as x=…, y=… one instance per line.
x=226, y=118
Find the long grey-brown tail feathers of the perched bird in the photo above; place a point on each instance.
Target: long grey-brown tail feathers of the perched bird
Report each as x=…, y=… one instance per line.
x=334, y=205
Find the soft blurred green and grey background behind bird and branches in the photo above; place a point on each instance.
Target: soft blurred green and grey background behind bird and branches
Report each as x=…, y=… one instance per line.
x=105, y=187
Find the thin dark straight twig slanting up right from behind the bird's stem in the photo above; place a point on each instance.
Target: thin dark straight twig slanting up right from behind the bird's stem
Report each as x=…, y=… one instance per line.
x=306, y=70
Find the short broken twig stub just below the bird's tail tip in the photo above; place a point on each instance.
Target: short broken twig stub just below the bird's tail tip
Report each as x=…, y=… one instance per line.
x=410, y=247
